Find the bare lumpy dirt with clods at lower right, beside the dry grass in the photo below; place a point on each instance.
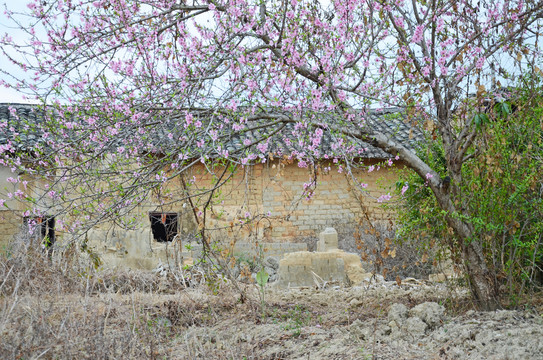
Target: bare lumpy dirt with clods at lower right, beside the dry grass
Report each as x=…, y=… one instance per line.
x=328, y=324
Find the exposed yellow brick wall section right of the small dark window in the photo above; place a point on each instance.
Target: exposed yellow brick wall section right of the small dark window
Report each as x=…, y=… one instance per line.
x=277, y=188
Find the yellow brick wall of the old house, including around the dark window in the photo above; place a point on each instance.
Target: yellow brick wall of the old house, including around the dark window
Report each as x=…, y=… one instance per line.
x=275, y=187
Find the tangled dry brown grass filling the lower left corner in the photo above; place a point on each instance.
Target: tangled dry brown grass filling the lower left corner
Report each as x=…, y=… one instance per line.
x=58, y=307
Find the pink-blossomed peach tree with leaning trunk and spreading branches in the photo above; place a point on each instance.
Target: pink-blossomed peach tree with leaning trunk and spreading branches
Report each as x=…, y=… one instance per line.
x=135, y=88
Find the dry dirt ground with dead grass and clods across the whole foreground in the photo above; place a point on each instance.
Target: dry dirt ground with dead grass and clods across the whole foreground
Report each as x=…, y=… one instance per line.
x=414, y=320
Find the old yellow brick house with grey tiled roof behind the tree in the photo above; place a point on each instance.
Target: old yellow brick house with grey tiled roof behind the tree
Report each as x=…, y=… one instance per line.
x=269, y=201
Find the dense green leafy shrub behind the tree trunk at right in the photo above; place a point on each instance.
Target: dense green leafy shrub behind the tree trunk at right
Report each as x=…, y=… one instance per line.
x=501, y=188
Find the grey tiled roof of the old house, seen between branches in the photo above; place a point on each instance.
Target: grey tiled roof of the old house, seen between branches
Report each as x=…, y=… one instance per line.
x=388, y=121
